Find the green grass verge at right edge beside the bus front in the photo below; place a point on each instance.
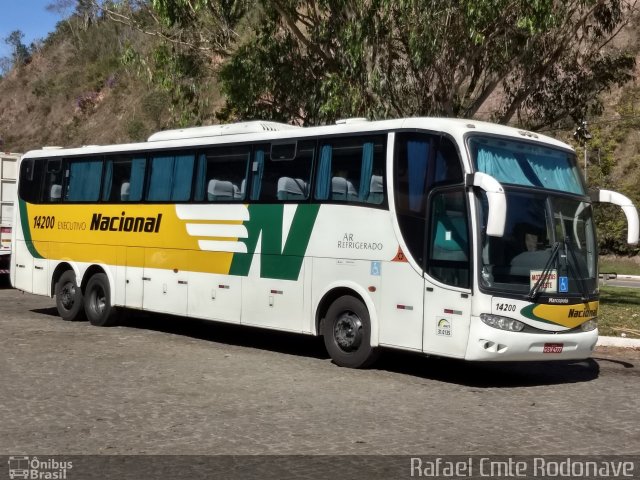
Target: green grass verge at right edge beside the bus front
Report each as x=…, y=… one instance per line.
x=619, y=308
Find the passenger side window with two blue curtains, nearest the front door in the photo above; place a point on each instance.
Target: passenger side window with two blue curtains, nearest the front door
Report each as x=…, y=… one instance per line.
x=351, y=170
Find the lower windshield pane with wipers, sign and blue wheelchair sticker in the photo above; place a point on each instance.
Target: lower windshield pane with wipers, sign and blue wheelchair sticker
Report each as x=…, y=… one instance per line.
x=543, y=234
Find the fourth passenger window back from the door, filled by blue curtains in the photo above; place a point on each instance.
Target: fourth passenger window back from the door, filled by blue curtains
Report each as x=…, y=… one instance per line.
x=170, y=177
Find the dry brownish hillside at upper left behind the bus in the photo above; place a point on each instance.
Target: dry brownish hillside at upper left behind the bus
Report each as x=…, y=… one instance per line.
x=78, y=89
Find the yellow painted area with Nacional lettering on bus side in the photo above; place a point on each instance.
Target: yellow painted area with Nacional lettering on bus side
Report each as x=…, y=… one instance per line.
x=74, y=234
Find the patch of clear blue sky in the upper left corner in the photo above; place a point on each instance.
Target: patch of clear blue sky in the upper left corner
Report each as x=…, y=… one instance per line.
x=29, y=16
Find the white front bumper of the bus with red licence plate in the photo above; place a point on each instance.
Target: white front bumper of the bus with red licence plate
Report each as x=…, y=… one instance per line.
x=491, y=344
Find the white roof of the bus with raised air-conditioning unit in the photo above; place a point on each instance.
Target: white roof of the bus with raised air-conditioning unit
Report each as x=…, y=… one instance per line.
x=264, y=131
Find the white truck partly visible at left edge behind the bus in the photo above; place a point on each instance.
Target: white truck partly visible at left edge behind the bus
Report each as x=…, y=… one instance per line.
x=8, y=175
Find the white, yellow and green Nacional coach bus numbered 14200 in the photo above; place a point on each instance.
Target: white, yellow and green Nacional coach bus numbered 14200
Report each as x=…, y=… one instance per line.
x=442, y=236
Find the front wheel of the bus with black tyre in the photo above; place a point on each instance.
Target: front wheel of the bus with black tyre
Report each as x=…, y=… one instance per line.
x=347, y=333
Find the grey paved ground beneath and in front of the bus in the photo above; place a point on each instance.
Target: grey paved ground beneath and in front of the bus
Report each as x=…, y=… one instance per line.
x=160, y=385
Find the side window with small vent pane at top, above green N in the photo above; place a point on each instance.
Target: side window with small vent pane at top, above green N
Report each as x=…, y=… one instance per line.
x=279, y=179
